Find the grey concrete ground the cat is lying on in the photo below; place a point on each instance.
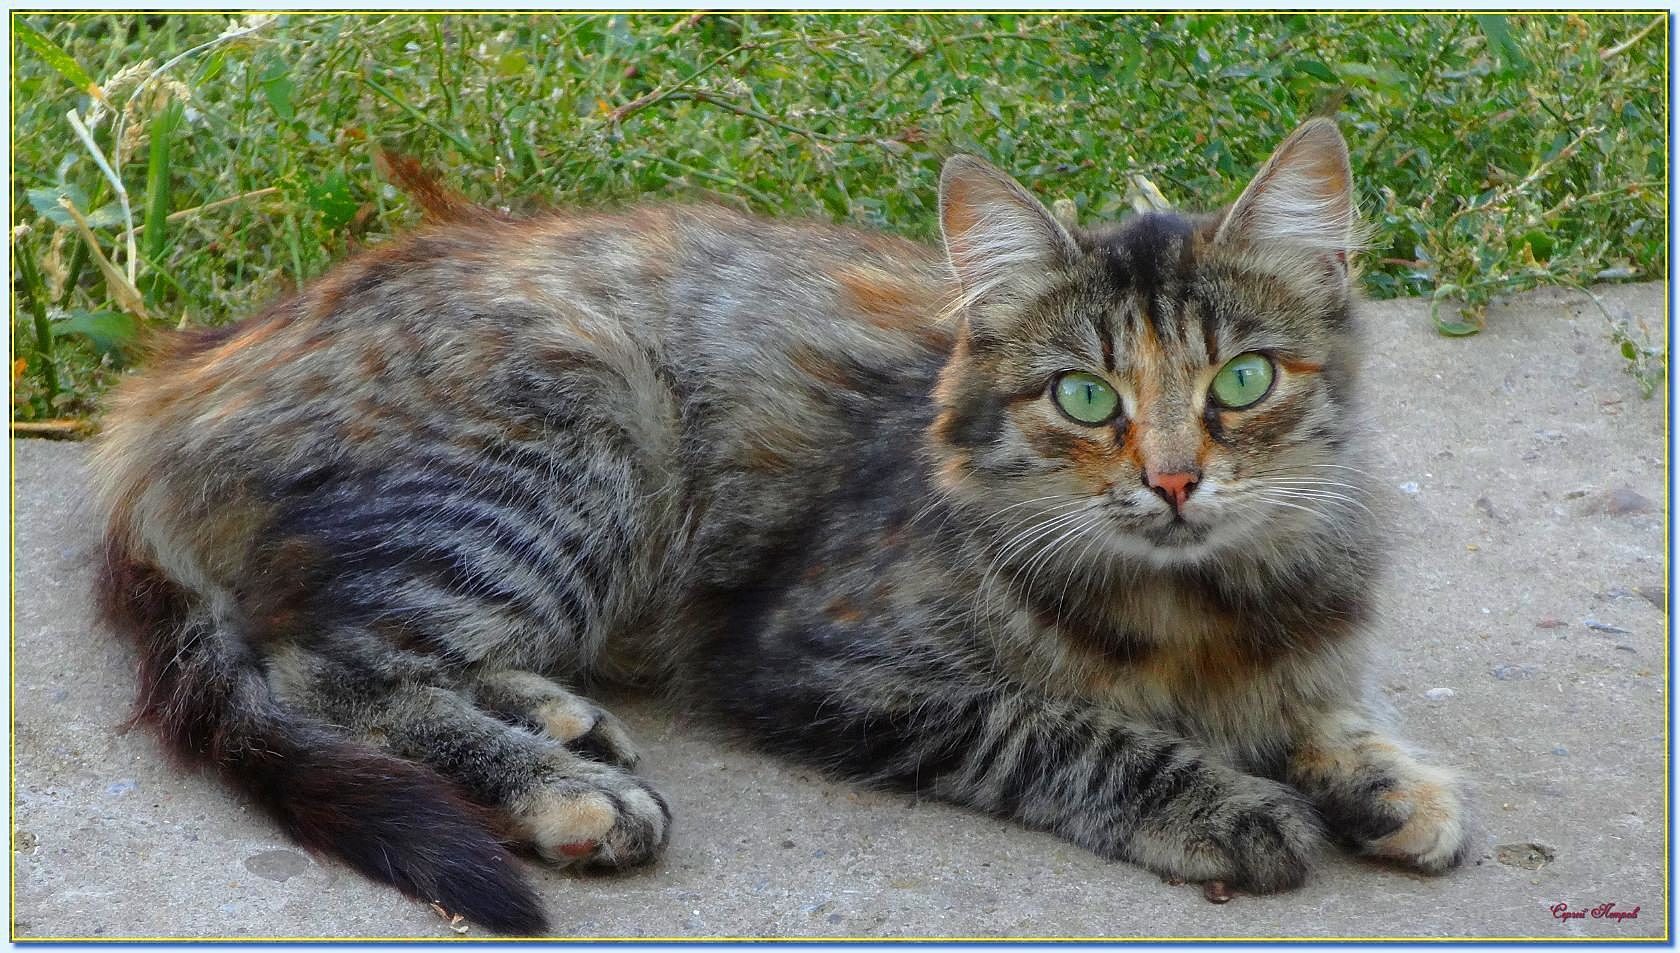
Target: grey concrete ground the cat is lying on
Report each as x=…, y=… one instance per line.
x=1528, y=646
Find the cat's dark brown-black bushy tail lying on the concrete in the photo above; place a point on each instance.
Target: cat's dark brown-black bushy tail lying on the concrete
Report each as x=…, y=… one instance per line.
x=394, y=821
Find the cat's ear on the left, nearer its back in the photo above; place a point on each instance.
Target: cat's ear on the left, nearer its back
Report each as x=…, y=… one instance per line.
x=1004, y=245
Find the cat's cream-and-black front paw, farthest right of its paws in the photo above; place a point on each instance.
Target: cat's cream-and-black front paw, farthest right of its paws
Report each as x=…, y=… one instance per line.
x=1377, y=796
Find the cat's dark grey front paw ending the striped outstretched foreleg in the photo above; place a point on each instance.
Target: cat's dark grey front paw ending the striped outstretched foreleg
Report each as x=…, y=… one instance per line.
x=1249, y=833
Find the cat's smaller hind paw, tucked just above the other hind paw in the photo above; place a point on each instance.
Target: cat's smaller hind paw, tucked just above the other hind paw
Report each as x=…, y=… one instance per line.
x=575, y=722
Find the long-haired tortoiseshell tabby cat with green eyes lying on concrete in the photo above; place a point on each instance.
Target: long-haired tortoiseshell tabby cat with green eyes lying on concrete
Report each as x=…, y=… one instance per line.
x=1063, y=525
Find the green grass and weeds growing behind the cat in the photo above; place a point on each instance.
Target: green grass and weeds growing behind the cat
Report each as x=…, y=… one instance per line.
x=1494, y=154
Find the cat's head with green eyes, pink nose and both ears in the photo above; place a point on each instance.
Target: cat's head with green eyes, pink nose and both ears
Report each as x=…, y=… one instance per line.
x=1172, y=389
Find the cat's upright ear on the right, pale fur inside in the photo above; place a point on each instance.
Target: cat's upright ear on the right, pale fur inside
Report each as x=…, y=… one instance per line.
x=1303, y=199
